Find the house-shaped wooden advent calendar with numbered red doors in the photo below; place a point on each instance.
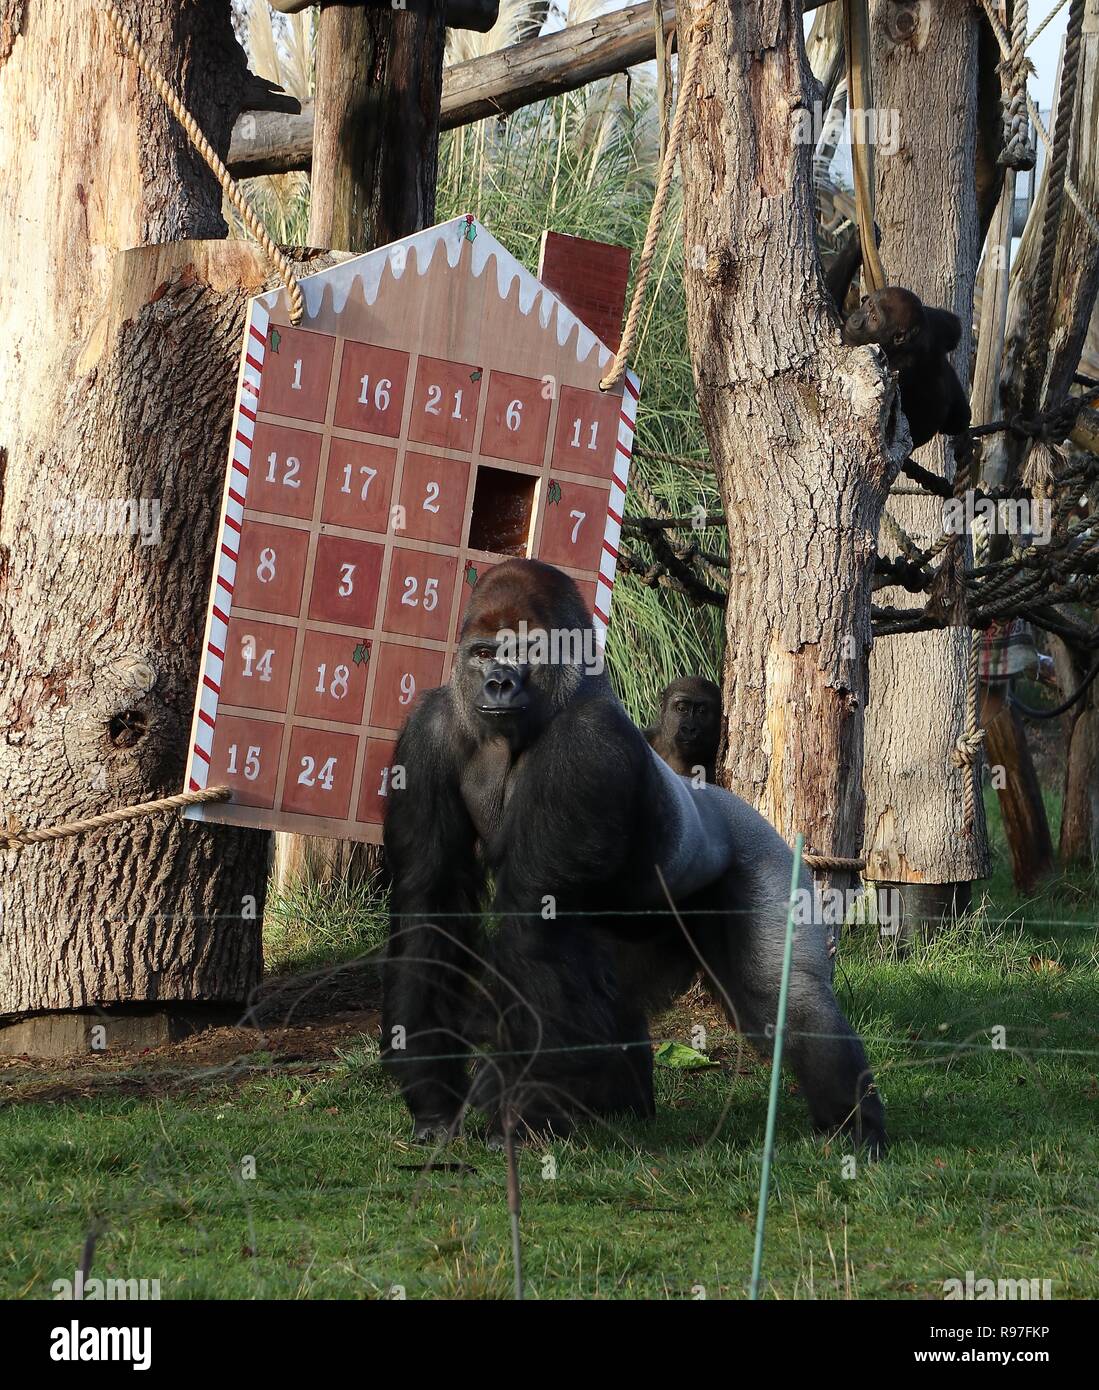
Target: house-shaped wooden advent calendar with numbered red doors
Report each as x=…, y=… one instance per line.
x=437, y=411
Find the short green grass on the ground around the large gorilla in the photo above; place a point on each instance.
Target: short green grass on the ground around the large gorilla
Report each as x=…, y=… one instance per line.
x=994, y=1163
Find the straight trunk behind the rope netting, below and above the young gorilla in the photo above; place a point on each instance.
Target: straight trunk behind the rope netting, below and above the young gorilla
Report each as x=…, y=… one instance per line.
x=927, y=212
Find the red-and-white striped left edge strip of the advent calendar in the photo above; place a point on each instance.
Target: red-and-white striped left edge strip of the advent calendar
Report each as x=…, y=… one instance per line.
x=233, y=518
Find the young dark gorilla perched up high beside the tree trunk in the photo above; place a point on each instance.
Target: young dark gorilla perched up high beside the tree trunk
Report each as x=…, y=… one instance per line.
x=916, y=341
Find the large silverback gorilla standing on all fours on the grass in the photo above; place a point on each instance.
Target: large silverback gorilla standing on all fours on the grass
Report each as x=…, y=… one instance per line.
x=533, y=775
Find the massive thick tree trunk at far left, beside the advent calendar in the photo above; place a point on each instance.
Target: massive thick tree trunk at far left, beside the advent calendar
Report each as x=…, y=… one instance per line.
x=117, y=370
